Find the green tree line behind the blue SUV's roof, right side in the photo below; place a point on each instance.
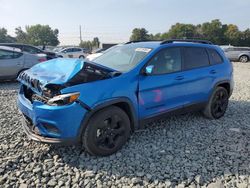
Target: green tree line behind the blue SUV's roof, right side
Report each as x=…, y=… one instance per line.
x=214, y=31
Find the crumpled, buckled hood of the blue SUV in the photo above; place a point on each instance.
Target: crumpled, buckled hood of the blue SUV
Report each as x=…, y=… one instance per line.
x=62, y=72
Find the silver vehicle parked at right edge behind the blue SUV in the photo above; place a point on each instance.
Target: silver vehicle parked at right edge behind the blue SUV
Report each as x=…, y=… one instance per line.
x=241, y=54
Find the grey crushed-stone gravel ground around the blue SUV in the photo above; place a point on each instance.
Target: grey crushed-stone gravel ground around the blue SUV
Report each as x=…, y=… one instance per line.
x=181, y=151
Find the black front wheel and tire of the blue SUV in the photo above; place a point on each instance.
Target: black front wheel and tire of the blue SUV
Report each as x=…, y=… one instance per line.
x=102, y=137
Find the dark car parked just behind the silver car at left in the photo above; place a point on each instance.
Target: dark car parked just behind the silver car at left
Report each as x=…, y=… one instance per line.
x=31, y=49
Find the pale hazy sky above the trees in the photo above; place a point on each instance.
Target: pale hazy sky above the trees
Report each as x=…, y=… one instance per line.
x=113, y=20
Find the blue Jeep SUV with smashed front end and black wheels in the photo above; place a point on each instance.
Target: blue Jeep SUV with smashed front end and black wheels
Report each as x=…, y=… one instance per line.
x=100, y=103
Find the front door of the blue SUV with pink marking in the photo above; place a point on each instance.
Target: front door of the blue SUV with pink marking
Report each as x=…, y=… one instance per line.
x=163, y=89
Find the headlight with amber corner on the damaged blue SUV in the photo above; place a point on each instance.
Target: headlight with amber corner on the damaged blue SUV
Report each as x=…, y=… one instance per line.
x=63, y=99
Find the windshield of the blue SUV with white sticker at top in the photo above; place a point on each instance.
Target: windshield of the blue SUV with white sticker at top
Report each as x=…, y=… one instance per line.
x=122, y=58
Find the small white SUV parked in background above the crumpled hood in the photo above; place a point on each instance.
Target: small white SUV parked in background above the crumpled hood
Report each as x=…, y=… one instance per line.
x=73, y=52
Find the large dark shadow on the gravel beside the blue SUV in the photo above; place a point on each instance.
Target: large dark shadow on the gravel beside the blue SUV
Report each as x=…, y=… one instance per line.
x=187, y=149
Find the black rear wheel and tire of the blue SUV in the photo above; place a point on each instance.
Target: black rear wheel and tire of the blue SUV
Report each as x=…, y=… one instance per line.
x=217, y=105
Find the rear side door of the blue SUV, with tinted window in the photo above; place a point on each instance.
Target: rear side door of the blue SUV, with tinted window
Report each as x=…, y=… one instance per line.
x=199, y=75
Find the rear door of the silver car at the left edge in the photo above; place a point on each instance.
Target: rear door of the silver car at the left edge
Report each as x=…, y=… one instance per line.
x=10, y=63
